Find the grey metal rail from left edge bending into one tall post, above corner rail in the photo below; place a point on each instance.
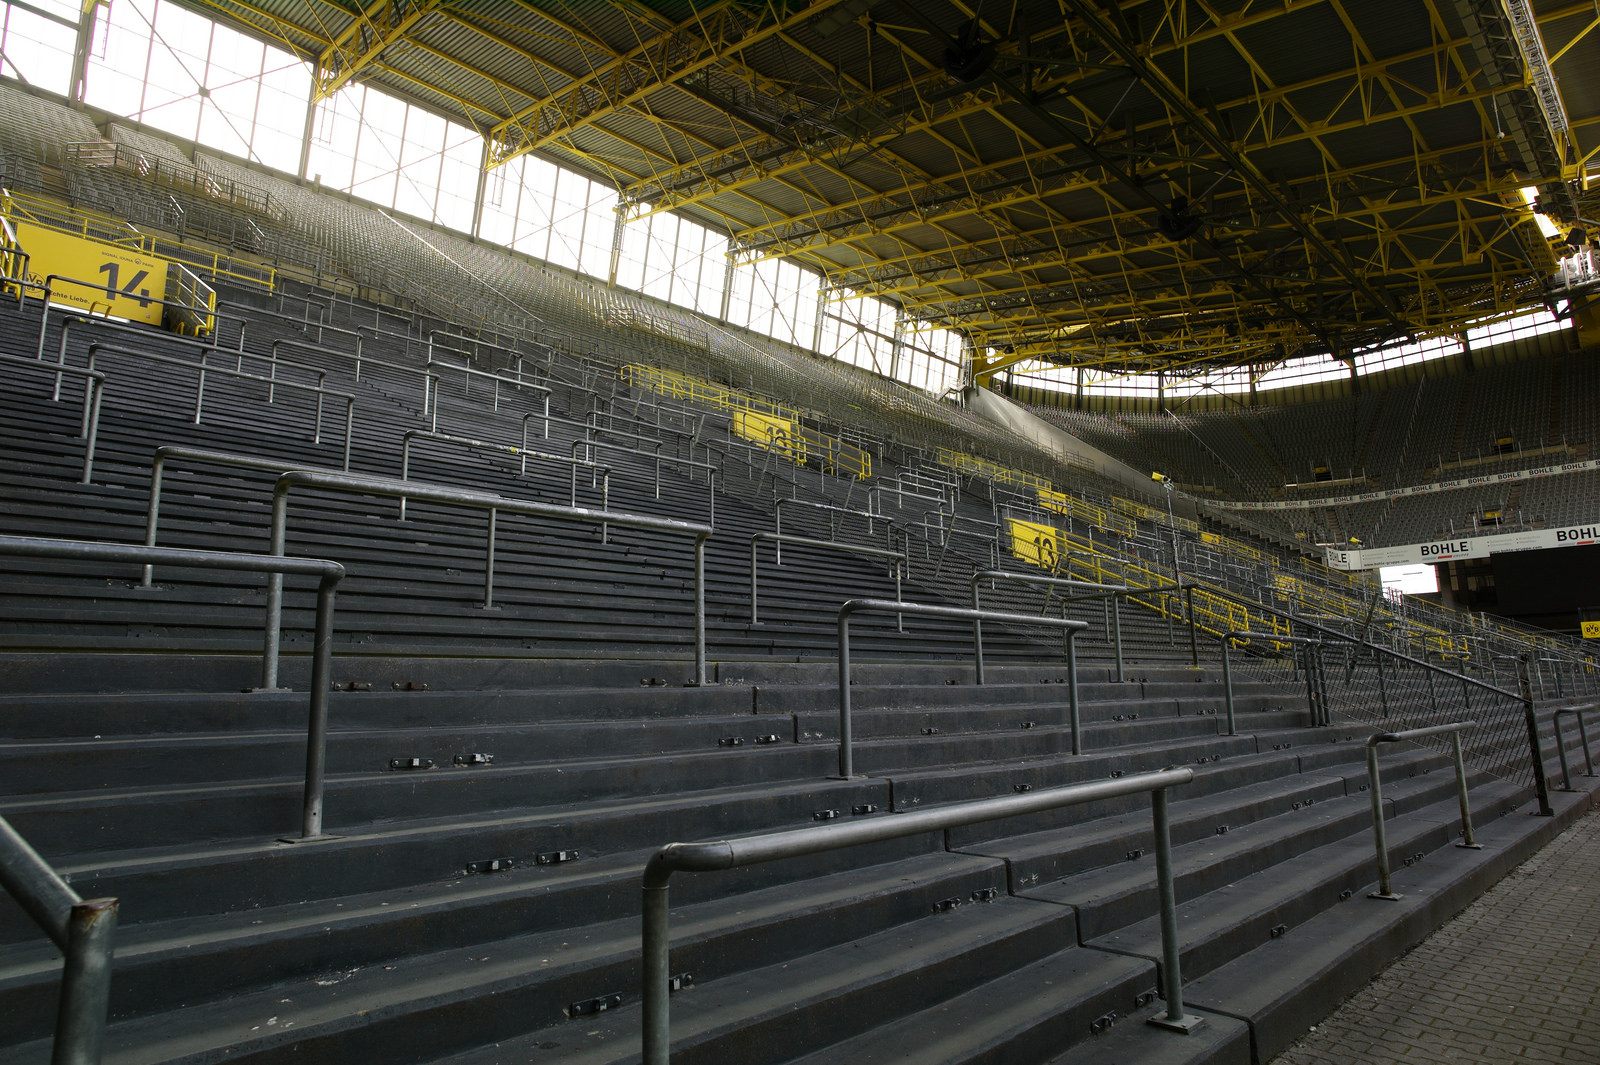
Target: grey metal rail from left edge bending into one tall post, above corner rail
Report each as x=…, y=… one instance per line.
x=276, y=567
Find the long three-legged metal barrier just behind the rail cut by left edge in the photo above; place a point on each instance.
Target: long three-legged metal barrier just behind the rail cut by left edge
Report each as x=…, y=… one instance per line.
x=494, y=505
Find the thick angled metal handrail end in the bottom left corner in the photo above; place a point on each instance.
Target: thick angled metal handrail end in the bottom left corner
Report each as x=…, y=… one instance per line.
x=82, y=930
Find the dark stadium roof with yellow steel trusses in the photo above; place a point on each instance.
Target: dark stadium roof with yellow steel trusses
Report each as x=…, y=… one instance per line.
x=1166, y=183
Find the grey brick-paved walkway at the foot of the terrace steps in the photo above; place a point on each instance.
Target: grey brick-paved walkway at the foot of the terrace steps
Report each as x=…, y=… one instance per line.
x=1516, y=978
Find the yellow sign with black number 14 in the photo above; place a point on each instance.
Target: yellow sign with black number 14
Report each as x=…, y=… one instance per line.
x=119, y=282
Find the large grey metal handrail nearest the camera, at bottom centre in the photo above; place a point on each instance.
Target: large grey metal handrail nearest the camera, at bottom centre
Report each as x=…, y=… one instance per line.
x=708, y=858
